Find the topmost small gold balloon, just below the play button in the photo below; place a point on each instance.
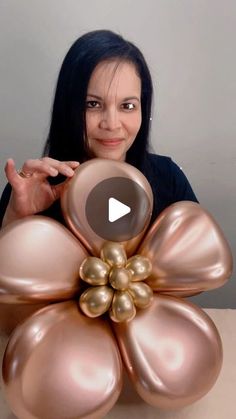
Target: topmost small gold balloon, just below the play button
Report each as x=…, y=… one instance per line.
x=114, y=254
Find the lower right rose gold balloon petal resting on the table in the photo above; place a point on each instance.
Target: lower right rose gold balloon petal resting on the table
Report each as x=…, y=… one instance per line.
x=172, y=351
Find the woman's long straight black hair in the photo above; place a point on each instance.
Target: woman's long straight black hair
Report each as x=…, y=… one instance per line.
x=67, y=135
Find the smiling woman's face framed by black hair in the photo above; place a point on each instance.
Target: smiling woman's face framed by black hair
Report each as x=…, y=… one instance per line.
x=113, y=109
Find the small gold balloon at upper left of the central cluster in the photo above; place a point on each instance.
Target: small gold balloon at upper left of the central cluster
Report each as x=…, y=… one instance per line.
x=94, y=271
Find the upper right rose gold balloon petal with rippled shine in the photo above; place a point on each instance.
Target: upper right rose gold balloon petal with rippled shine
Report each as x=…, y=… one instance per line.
x=188, y=251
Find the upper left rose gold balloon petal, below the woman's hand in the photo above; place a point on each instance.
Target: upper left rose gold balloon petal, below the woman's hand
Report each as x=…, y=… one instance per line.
x=39, y=261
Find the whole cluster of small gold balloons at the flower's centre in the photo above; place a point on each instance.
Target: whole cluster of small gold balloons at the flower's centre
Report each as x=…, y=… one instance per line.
x=124, y=292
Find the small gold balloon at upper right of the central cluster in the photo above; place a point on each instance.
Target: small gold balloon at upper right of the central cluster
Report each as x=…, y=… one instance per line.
x=140, y=267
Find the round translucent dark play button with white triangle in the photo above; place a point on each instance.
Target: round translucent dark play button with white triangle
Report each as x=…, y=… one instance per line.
x=117, y=209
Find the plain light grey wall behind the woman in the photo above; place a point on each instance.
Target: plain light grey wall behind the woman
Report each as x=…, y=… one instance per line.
x=190, y=48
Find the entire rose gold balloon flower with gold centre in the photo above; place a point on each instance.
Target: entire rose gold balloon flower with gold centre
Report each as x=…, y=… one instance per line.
x=114, y=295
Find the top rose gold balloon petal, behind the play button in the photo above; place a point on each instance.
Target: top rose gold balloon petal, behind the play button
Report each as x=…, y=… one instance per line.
x=85, y=204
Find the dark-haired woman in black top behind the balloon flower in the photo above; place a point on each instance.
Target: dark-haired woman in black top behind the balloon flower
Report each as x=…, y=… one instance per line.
x=102, y=108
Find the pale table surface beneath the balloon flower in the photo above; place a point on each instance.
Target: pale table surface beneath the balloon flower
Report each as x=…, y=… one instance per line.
x=219, y=403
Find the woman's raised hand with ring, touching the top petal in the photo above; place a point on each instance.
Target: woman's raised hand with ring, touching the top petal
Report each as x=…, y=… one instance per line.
x=33, y=193
